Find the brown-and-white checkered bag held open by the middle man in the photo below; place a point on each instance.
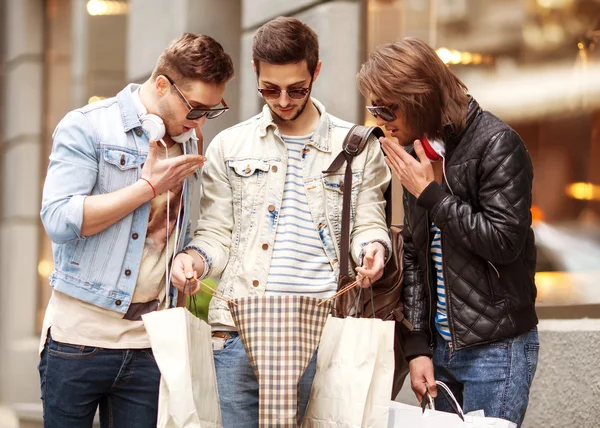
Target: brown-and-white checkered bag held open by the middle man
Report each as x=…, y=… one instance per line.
x=280, y=335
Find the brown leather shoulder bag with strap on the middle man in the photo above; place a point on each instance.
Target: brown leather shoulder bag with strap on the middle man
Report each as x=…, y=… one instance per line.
x=384, y=298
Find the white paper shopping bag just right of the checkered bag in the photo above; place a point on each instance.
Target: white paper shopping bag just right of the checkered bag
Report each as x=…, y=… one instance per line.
x=355, y=371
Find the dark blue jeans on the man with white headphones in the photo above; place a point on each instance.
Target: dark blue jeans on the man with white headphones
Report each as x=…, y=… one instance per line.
x=75, y=380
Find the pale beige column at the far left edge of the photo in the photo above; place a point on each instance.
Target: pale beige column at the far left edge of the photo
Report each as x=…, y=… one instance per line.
x=20, y=148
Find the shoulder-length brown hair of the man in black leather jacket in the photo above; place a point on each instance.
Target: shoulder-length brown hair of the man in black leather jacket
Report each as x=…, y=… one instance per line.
x=410, y=73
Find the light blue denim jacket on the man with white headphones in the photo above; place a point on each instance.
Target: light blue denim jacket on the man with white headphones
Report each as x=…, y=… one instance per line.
x=98, y=149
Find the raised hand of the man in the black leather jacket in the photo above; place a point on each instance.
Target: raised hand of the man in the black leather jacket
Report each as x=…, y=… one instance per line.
x=414, y=175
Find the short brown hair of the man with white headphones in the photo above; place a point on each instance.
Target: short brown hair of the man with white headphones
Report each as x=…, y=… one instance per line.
x=195, y=57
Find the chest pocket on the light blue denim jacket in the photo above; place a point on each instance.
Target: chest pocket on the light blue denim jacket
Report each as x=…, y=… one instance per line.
x=118, y=168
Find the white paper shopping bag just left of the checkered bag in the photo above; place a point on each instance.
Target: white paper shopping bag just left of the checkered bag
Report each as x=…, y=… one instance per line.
x=182, y=348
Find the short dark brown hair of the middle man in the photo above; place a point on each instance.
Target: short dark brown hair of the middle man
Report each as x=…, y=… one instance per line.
x=286, y=41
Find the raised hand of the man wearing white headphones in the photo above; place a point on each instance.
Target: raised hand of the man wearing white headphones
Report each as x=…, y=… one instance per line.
x=165, y=174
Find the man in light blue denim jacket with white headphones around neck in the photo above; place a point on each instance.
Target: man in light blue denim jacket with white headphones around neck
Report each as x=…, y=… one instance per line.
x=105, y=207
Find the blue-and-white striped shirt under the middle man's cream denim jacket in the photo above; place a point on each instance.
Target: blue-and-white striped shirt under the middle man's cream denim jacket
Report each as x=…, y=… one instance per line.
x=299, y=264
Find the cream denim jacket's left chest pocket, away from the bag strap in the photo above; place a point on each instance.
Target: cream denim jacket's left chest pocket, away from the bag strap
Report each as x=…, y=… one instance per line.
x=248, y=179
